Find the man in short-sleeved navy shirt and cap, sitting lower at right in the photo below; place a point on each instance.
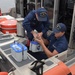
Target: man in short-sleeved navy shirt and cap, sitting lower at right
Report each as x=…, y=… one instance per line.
x=56, y=42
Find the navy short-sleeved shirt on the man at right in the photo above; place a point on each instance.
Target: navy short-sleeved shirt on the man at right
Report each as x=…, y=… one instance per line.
x=59, y=44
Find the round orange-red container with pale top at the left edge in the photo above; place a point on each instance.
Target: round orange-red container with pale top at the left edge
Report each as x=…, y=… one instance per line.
x=9, y=26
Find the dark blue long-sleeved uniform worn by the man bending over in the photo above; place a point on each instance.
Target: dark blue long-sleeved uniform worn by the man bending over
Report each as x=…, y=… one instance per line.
x=30, y=23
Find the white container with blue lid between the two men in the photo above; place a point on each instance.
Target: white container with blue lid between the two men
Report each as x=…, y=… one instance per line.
x=35, y=46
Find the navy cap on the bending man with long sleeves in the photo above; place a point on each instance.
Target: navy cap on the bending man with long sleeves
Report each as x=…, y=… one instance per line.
x=42, y=14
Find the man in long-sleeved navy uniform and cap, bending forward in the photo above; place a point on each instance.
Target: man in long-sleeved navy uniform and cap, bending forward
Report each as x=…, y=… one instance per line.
x=38, y=20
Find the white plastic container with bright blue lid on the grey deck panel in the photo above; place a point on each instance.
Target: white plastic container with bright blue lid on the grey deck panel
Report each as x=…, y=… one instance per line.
x=18, y=51
